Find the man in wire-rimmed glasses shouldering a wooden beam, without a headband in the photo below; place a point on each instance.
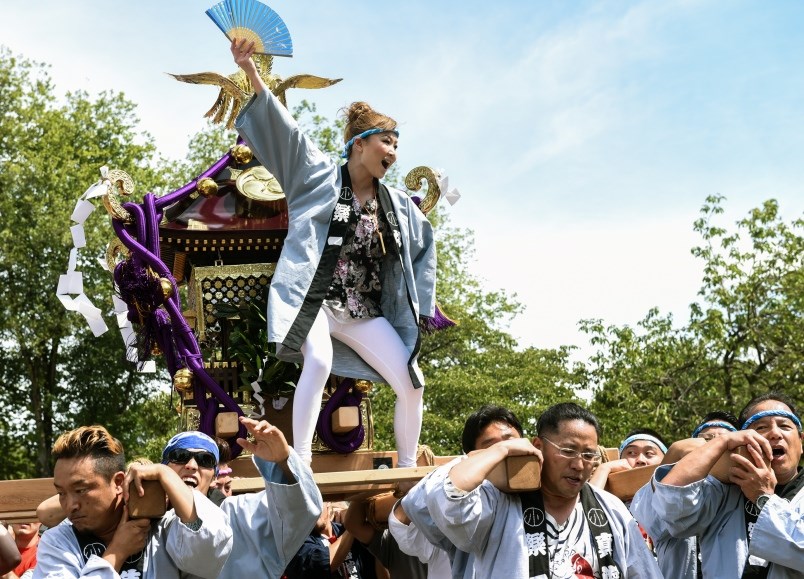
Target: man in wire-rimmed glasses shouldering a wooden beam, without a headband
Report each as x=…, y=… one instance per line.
x=565, y=529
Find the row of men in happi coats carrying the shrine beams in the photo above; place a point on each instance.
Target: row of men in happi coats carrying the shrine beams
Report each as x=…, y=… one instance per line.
x=726, y=503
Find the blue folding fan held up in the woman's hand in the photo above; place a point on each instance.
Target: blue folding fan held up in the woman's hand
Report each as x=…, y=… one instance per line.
x=255, y=22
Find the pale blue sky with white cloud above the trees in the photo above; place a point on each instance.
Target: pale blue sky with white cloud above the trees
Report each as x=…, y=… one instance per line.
x=583, y=136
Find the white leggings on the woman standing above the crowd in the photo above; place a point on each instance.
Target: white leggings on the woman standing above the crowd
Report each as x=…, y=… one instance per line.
x=376, y=341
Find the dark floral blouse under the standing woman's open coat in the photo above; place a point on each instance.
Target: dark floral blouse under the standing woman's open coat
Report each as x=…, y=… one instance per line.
x=356, y=285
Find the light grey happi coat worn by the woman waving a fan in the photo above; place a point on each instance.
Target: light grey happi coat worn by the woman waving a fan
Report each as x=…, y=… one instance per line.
x=312, y=184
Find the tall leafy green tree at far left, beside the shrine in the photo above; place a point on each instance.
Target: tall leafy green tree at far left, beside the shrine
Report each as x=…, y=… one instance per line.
x=55, y=374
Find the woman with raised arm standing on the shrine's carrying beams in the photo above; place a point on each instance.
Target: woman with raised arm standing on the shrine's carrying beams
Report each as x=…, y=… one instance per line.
x=357, y=270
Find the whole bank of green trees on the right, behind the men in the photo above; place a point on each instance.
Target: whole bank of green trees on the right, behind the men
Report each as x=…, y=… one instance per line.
x=745, y=335
